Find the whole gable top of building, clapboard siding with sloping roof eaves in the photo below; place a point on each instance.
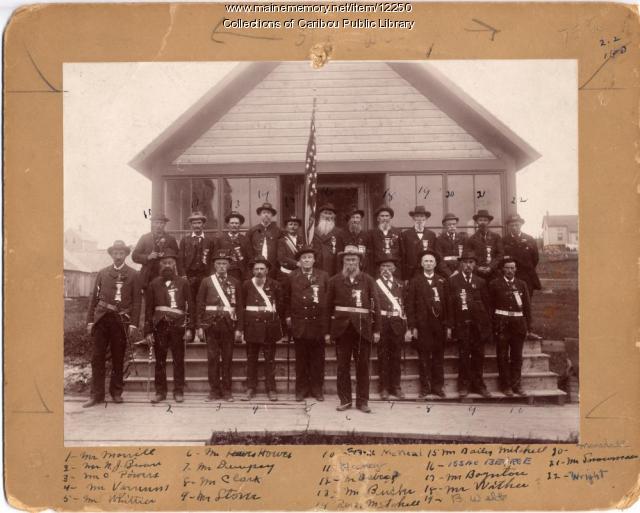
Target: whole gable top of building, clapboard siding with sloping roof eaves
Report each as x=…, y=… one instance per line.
x=260, y=112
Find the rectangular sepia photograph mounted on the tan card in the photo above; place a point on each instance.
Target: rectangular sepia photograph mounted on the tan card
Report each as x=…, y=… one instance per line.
x=320, y=252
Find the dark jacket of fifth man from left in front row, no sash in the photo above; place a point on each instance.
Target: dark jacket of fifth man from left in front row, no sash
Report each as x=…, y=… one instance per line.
x=308, y=311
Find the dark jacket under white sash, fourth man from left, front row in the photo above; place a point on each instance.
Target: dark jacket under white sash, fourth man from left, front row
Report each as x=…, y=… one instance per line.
x=263, y=327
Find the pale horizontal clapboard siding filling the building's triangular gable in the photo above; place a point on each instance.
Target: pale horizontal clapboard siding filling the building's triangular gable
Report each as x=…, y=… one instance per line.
x=364, y=111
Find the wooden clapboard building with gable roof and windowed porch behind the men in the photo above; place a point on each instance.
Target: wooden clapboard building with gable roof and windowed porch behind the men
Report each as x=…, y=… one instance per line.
x=387, y=132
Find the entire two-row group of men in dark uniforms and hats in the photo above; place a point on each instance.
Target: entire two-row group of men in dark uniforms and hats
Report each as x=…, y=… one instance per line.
x=350, y=287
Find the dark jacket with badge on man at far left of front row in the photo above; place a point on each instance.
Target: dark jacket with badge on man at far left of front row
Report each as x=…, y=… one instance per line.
x=126, y=299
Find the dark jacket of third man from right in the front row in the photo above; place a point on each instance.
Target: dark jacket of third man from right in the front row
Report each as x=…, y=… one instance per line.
x=426, y=309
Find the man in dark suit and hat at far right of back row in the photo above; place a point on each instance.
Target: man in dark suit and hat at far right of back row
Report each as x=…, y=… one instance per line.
x=524, y=249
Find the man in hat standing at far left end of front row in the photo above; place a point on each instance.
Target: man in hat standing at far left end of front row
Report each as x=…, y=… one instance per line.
x=114, y=312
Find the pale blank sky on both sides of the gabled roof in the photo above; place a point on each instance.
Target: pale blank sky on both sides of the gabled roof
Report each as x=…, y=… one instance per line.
x=114, y=110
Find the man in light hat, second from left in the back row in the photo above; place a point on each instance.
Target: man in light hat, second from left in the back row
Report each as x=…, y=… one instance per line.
x=195, y=252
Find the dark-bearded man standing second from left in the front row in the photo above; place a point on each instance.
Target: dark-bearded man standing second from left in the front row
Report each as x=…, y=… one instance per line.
x=169, y=313
